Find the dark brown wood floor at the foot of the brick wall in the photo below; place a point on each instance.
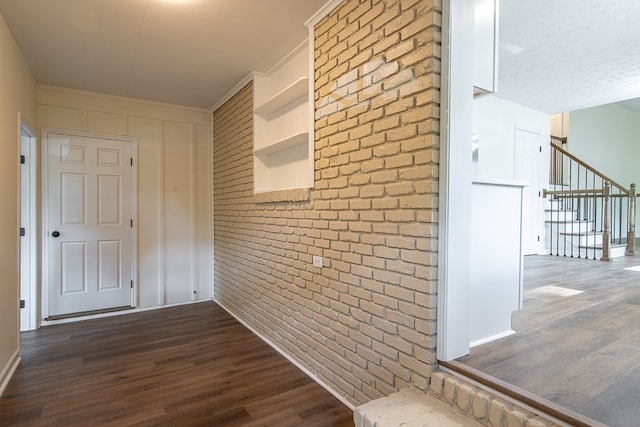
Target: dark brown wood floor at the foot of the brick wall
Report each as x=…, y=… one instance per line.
x=192, y=365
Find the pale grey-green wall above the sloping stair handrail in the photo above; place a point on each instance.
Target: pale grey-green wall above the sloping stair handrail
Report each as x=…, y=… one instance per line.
x=608, y=138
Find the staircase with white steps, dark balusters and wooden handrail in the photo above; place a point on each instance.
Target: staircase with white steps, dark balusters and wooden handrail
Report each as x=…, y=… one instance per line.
x=589, y=206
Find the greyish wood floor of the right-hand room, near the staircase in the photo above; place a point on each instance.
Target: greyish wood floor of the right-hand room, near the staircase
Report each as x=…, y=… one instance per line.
x=577, y=340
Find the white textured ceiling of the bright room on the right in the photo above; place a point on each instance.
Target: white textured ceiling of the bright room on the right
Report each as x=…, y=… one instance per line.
x=566, y=55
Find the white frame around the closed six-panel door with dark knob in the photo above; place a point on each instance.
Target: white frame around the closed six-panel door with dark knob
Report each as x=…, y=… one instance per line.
x=45, y=214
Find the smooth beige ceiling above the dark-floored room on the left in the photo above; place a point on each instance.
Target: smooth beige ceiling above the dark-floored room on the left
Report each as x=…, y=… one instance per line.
x=188, y=52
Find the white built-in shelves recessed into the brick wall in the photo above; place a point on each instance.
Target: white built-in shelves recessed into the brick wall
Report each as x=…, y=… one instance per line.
x=283, y=144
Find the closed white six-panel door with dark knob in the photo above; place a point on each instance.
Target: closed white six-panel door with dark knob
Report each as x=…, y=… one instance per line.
x=89, y=230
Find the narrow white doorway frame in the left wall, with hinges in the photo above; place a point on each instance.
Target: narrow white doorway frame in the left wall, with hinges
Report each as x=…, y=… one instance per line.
x=28, y=200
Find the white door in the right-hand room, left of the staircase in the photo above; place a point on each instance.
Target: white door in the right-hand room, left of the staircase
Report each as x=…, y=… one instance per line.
x=527, y=168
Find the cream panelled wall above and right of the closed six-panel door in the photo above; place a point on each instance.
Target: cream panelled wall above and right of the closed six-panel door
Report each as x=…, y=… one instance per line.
x=173, y=232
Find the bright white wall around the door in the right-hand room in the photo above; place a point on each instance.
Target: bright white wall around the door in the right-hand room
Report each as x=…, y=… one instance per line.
x=494, y=121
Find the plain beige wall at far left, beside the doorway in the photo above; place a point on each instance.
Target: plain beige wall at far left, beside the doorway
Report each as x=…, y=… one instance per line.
x=17, y=96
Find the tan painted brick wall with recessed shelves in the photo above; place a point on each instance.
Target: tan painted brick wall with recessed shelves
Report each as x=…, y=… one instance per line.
x=365, y=323
